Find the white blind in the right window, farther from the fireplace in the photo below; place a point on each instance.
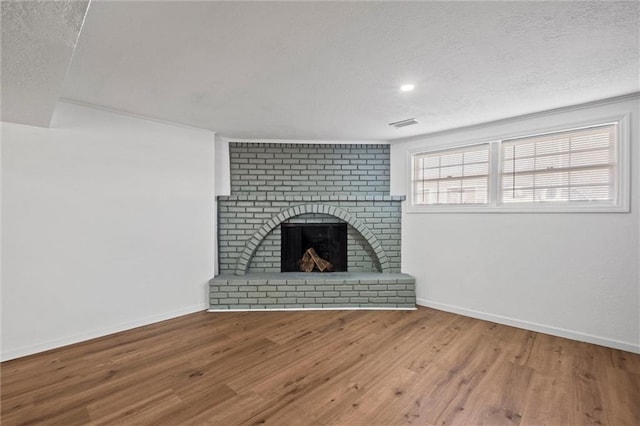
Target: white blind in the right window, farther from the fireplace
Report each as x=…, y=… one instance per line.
x=569, y=166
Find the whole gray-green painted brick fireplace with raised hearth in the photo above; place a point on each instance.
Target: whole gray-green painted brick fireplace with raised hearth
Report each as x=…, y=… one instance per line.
x=275, y=186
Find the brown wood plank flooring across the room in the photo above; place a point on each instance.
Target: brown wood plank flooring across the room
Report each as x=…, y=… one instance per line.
x=423, y=367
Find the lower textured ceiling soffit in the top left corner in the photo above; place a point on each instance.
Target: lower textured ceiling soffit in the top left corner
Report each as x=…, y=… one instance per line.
x=38, y=40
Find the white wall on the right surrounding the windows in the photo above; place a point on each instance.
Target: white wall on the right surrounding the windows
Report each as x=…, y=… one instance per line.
x=567, y=274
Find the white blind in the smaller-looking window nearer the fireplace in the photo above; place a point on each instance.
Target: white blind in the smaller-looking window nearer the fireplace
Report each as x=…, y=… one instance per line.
x=456, y=176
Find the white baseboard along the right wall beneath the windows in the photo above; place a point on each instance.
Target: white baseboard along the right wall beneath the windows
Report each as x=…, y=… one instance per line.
x=528, y=325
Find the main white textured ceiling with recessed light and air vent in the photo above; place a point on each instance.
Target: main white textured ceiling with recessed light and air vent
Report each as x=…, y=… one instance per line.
x=331, y=70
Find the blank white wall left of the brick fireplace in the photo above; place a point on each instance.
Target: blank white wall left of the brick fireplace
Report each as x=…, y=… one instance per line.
x=107, y=224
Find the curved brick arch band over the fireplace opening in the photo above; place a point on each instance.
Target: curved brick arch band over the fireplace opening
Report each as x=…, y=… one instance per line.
x=255, y=240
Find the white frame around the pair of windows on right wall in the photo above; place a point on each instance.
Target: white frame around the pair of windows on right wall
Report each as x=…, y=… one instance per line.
x=494, y=205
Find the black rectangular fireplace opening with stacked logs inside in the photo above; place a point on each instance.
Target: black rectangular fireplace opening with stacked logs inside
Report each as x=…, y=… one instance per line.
x=309, y=247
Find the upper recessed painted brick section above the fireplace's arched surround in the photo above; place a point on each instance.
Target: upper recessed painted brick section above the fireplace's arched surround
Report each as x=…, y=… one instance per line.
x=308, y=169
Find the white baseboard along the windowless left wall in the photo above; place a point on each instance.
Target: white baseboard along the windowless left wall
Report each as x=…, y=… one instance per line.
x=81, y=337
